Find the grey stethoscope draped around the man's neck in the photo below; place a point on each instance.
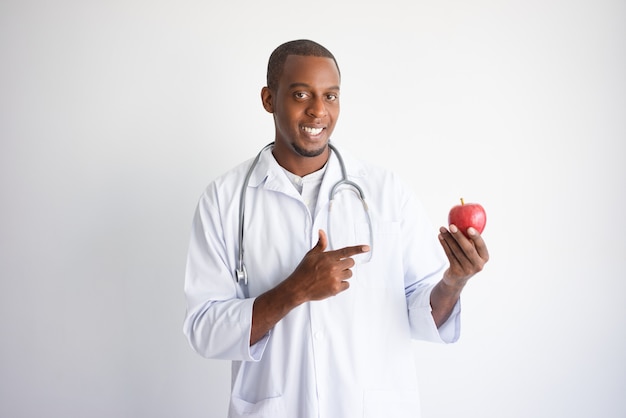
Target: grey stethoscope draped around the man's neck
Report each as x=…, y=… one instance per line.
x=241, y=274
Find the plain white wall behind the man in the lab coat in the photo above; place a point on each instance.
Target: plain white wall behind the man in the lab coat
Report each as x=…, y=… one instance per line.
x=115, y=114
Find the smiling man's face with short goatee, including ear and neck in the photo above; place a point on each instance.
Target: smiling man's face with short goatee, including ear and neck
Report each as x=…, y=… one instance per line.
x=305, y=106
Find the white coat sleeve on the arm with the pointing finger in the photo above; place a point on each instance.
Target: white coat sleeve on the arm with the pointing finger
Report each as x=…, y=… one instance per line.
x=218, y=320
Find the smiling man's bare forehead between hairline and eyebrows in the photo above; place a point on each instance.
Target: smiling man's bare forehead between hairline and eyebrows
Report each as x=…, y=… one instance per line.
x=319, y=72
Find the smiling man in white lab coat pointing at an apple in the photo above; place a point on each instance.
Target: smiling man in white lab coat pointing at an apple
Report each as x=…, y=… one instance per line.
x=325, y=330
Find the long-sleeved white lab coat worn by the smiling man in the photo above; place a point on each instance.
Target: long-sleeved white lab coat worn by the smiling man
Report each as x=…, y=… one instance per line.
x=346, y=356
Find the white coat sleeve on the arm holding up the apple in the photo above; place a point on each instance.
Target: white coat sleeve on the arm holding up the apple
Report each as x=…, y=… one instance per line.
x=425, y=263
